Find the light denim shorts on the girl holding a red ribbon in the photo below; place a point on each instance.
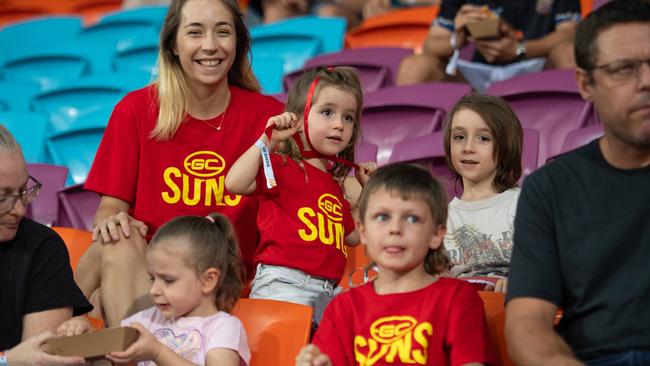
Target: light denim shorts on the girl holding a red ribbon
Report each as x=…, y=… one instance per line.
x=292, y=285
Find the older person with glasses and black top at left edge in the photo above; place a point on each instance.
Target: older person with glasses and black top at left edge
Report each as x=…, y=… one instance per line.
x=37, y=291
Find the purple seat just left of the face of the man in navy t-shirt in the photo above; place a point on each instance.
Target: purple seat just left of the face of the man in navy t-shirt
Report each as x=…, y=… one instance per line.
x=549, y=102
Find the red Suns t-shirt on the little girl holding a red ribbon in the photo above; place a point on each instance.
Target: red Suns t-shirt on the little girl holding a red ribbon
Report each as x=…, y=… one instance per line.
x=303, y=221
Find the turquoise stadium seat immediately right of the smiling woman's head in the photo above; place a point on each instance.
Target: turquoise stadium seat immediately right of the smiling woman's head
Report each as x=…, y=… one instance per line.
x=298, y=39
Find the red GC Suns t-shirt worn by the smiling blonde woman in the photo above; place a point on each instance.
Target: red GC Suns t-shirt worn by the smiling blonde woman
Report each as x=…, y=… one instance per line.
x=185, y=175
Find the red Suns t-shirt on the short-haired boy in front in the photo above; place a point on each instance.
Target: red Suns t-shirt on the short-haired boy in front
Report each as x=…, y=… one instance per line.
x=441, y=324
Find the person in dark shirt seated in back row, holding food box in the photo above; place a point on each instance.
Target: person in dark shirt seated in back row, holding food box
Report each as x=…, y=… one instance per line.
x=530, y=29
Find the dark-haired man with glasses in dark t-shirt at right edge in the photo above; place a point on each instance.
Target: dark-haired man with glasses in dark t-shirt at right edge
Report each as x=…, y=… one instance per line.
x=582, y=229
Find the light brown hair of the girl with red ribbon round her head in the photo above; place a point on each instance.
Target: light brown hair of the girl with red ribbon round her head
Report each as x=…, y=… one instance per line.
x=341, y=77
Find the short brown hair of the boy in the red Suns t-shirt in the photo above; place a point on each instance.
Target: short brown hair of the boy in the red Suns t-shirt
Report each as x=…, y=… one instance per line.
x=411, y=182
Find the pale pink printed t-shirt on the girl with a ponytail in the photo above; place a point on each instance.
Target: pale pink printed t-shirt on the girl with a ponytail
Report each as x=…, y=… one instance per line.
x=193, y=337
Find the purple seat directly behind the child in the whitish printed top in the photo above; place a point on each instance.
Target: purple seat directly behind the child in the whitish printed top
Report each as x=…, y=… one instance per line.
x=428, y=150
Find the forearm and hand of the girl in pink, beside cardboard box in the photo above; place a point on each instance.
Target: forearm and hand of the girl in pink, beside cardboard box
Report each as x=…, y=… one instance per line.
x=147, y=348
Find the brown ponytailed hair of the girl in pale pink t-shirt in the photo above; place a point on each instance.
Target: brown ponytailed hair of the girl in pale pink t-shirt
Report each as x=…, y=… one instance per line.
x=213, y=244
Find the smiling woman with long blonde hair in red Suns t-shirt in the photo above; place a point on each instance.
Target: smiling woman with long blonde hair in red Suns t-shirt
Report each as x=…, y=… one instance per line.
x=168, y=147
